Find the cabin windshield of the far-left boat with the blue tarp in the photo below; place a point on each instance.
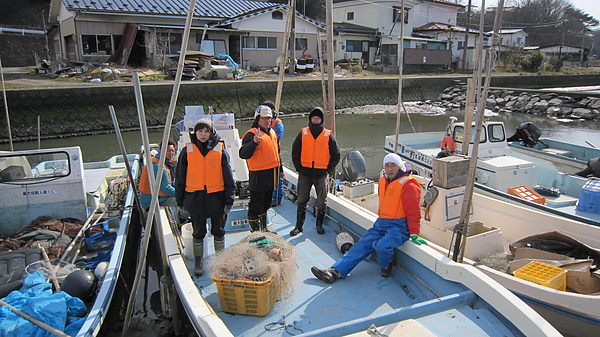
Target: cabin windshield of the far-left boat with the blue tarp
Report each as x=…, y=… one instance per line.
x=22, y=167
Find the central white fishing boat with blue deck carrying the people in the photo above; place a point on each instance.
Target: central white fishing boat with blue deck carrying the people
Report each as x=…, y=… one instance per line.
x=427, y=292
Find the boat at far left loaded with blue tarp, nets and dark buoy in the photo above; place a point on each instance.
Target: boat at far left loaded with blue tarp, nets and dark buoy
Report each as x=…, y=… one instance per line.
x=65, y=222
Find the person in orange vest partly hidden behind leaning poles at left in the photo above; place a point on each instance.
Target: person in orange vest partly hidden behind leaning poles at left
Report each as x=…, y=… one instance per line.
x=166, y=190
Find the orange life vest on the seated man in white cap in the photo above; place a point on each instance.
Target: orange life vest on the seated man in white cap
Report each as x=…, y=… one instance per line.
x=390, y=197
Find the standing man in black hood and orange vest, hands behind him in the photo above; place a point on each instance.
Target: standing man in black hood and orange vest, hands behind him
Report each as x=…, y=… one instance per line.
x=315, y=154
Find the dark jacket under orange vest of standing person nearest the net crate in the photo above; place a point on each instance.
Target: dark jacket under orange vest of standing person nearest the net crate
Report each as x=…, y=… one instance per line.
x=201, y=203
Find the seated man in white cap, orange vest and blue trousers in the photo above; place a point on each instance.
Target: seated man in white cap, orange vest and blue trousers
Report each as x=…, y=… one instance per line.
x=399, y=220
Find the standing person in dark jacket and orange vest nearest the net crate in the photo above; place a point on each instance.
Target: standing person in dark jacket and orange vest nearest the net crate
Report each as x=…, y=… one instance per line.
x=205, y=187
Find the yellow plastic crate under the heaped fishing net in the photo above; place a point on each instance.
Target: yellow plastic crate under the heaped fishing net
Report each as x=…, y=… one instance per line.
x=253, y=298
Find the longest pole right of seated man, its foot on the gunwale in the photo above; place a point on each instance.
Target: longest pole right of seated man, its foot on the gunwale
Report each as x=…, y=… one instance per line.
x=461, y=227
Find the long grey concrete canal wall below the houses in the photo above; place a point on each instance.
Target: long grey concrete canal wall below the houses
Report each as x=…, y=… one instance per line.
x=77, y=111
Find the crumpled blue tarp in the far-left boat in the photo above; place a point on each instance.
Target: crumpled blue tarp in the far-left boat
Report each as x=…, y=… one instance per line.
x=59, y=310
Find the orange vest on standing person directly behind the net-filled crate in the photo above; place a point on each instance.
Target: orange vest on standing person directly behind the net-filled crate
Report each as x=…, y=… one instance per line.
x=204, y=173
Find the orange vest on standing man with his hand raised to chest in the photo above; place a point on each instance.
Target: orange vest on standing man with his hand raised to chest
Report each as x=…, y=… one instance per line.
x=266, y=155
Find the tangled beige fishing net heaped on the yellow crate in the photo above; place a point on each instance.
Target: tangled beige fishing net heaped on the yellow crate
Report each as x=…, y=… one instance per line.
x=257, y=257
